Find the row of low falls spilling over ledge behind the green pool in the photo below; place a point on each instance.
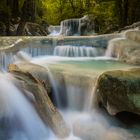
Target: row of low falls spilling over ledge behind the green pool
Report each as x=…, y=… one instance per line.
x=7, y=58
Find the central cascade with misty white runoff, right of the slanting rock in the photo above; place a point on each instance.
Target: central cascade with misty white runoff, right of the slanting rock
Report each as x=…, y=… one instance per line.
x=74, y=101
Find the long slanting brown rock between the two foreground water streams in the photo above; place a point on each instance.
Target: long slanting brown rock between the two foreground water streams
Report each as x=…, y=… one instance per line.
x=33, y=78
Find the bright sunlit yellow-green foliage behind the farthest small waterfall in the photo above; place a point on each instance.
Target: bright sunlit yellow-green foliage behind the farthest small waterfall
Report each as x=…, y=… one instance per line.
x=58, y=10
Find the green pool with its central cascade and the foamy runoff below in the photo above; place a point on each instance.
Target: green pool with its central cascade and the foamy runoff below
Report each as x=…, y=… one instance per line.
x=76, y=102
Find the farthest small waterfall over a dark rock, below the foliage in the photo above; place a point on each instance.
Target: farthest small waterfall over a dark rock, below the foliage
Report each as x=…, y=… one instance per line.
x=78, y=26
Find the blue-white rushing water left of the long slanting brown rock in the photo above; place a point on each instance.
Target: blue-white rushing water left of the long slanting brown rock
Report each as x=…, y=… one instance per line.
x=17, y=116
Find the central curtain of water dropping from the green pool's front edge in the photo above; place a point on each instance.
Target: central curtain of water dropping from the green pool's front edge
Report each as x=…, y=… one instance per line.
x=70, y=96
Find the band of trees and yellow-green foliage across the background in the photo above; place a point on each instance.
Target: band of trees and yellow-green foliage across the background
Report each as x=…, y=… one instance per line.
x=106, y=13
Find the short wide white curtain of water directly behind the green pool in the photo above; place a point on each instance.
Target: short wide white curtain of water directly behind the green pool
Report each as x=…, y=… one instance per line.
x=76, y=51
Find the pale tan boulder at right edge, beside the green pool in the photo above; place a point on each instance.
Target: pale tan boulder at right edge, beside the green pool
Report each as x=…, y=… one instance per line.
x=126, y=49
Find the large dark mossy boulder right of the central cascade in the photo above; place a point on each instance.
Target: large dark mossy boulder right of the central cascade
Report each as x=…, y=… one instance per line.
x=119, y=91
